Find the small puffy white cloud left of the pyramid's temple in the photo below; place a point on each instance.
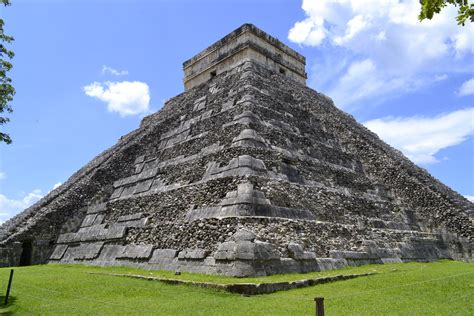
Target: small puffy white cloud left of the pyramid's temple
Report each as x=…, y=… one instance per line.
x=124, y=97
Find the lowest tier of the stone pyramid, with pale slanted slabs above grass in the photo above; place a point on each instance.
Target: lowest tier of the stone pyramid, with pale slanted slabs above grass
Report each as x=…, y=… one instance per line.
x=245, y=256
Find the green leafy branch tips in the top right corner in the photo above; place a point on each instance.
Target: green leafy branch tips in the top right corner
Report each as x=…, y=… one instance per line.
x=430, y=7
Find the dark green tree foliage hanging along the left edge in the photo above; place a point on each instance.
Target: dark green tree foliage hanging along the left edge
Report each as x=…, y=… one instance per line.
x=6, y=89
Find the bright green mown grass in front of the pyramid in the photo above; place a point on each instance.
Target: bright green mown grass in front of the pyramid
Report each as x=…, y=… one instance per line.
x=439, y=288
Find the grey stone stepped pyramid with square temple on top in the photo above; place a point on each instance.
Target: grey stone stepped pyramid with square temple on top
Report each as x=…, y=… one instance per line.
x=248, y=172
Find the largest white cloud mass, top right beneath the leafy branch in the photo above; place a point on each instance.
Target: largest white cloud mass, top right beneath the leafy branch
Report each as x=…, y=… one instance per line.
x=382, y=42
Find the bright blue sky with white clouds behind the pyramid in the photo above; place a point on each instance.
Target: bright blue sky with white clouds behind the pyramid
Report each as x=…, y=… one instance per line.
x=86, y=72
